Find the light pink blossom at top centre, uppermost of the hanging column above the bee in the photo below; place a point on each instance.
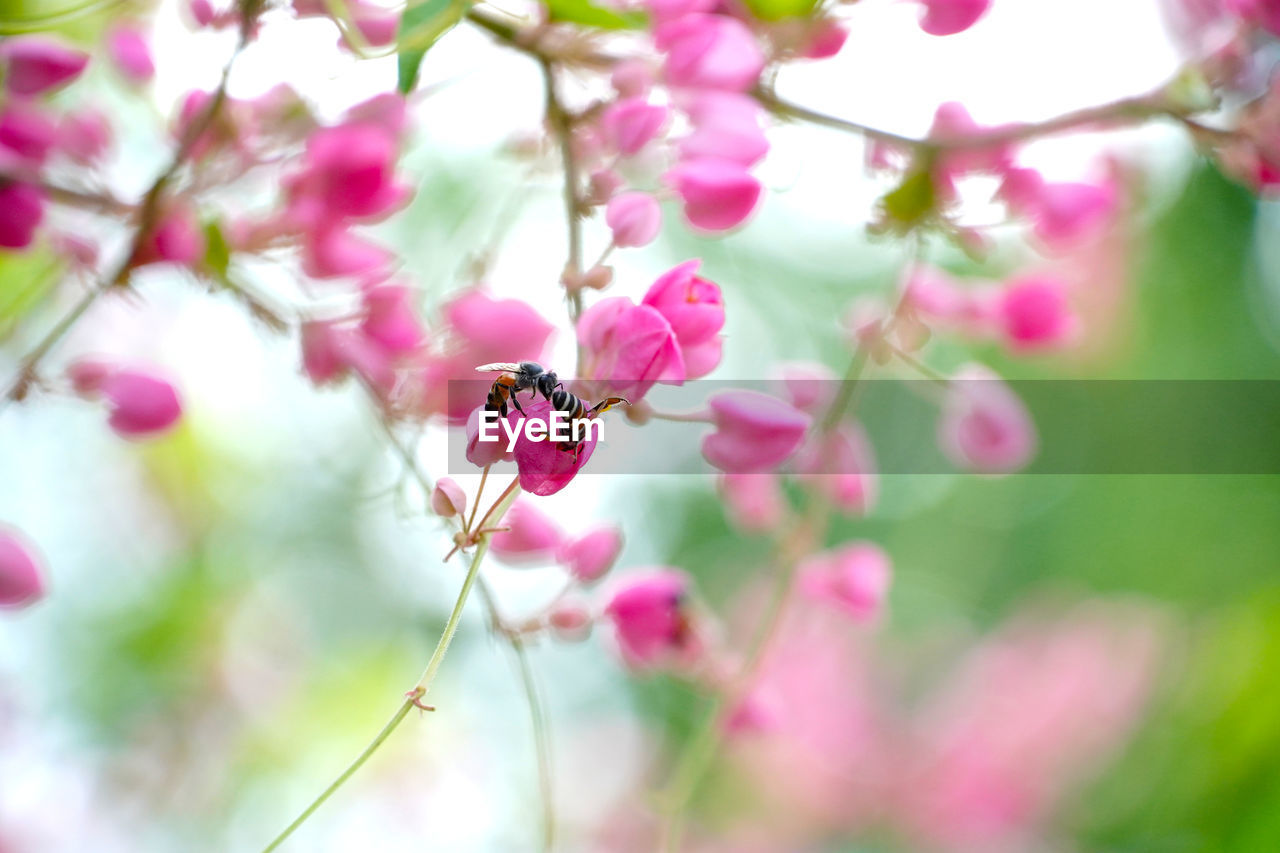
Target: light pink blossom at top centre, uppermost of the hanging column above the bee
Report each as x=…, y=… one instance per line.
x=710, y=52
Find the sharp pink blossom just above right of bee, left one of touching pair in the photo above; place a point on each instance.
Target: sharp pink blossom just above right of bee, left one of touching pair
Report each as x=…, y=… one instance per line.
x=629, y=348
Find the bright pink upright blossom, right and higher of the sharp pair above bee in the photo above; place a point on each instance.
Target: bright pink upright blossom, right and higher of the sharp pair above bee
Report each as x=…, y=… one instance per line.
x=694, y=307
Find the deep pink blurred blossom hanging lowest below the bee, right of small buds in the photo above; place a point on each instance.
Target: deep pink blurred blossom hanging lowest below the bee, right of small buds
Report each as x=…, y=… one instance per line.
x=651, y=621
